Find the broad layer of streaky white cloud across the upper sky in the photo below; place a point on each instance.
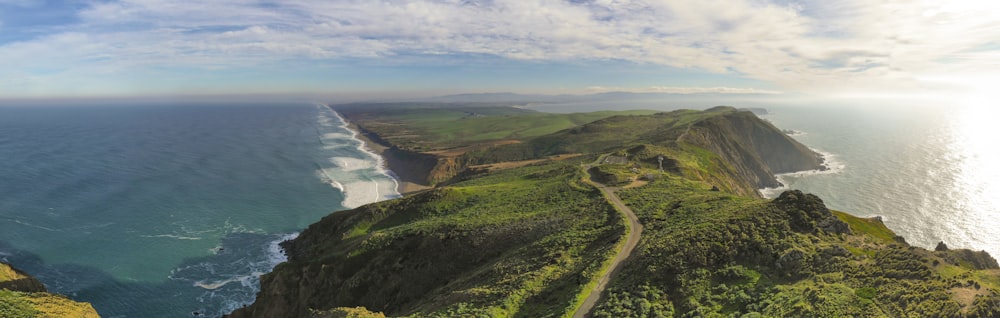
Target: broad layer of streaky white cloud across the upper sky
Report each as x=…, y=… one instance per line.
x=812, y=45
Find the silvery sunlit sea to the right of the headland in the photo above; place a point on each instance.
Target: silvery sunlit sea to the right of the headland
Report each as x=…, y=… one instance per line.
x=931, y=171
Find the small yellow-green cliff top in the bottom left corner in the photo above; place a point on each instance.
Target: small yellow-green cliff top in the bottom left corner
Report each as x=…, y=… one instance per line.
x=24, y=296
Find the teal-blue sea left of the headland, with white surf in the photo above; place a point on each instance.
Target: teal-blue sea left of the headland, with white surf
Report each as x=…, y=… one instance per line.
x=171, y=210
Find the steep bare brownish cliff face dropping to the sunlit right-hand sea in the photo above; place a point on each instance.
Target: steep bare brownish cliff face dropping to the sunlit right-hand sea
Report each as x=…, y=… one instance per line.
x=754, y=148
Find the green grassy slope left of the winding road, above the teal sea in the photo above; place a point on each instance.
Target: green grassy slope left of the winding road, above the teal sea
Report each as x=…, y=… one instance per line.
x=520, y=242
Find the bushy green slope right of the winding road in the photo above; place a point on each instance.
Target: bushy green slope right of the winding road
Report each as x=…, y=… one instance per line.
x=717, y=255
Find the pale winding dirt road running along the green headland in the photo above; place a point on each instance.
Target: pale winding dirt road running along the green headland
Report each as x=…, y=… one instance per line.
x=634, y=231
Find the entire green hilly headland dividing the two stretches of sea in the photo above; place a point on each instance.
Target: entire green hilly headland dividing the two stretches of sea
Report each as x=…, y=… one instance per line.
x=515, y=232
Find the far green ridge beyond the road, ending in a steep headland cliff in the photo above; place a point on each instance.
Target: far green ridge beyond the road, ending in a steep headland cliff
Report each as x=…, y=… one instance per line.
x=723, y=146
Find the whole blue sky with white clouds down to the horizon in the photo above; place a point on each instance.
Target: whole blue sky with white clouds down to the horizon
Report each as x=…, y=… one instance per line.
x=363, y=48
